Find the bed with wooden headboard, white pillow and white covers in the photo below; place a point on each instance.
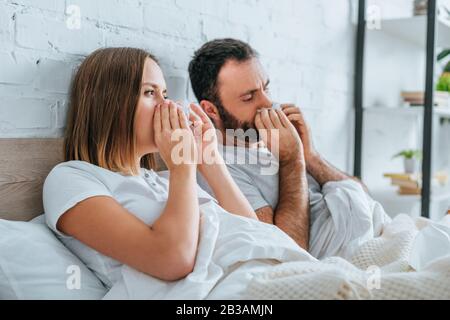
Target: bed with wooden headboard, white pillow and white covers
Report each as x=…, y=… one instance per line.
x=236, y=259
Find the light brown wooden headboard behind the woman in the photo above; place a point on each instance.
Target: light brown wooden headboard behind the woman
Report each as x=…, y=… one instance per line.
x=24, y=165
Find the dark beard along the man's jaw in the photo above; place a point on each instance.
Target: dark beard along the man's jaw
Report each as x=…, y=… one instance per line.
x=242, y=130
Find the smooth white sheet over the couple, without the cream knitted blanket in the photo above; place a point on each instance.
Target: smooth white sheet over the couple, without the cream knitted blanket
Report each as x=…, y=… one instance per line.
x=234, y=251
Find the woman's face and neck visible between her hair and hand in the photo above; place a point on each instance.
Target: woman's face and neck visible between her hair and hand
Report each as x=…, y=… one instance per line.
x=153, y=92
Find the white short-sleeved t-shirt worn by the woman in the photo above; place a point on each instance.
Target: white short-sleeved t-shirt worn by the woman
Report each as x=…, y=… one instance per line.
x=71, y=182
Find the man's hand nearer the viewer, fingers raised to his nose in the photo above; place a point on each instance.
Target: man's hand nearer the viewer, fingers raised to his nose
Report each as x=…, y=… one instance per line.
x=279, y=135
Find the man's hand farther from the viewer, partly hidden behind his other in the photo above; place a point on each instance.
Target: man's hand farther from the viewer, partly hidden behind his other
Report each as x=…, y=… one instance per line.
x=294, y=115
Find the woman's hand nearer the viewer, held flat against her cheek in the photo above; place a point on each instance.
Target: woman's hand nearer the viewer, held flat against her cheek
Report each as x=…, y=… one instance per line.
x=174, y=139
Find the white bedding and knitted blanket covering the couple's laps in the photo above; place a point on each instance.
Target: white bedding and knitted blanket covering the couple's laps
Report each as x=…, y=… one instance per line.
x=239, y=258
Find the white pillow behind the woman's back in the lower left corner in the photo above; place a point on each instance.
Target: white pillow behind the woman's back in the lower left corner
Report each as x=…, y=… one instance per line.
x=34, y=264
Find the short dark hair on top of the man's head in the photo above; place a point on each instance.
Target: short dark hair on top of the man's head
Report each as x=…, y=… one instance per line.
x=208, y=61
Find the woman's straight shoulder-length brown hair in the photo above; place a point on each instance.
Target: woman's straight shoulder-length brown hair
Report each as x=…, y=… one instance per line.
x=103, y=100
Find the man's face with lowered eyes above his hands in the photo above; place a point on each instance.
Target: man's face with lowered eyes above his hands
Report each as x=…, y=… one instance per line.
x=243, y=88
